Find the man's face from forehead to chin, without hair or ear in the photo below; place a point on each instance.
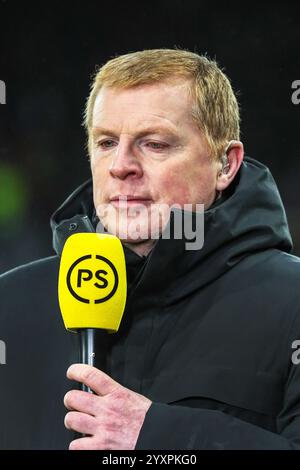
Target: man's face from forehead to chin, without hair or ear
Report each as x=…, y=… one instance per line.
x=146, y=145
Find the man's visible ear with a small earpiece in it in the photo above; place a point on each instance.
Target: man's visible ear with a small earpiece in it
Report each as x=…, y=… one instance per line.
x=235, y=155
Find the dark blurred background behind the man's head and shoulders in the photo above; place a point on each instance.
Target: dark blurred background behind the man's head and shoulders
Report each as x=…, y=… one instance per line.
x=48, y=52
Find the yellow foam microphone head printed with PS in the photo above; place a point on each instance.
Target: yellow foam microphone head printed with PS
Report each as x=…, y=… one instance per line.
x=92, y=282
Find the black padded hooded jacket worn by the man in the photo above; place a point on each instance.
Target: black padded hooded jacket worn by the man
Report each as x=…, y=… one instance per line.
x=207, y=334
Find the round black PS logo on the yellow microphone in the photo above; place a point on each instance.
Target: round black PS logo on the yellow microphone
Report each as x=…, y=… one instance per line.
x=92, y=279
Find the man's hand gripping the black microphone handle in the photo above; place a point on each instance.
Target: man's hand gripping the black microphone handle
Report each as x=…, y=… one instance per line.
x=112, y=417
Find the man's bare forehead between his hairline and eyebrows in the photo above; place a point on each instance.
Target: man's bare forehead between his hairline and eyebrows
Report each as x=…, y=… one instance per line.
x=169, y=102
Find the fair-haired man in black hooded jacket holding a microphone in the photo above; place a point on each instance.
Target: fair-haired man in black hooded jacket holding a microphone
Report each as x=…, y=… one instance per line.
x=205, y=354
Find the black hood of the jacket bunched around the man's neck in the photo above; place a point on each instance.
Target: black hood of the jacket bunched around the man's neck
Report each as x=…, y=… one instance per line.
x=248, y=218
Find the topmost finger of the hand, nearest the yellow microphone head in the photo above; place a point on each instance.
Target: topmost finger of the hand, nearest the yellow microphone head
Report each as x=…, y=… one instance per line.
x=94, y=378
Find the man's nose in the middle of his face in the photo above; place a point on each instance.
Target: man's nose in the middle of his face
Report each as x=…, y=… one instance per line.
x=124, y=163
